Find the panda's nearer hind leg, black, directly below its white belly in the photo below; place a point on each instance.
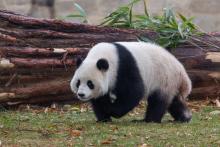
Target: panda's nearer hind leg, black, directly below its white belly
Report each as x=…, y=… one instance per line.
x=157, y=107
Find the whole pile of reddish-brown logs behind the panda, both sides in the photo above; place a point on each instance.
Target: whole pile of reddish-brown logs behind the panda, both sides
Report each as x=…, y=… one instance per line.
x=37, y=57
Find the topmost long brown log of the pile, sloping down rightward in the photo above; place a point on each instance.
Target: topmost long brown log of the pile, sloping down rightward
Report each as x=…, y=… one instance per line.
x=14, y=20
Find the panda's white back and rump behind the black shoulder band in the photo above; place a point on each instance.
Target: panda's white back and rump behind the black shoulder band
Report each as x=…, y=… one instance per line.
x=158, y=68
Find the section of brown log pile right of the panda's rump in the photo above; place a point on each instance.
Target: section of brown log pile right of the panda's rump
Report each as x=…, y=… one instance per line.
x=204, y=71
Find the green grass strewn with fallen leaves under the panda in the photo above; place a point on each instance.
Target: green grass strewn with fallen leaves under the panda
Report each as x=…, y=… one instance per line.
x=75, y=128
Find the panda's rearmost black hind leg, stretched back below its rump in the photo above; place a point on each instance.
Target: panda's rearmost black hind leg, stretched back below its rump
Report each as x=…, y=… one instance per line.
x=179, y=111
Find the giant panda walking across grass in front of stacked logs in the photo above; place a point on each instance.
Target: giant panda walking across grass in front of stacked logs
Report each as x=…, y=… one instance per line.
x=114, y=77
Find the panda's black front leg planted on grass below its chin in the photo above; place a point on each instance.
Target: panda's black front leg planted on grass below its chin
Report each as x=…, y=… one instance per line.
x=101, y=114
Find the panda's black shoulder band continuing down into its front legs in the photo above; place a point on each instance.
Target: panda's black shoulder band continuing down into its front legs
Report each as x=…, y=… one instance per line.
x=129, y=88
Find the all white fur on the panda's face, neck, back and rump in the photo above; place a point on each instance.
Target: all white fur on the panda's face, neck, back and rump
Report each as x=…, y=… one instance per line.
x=158, y=68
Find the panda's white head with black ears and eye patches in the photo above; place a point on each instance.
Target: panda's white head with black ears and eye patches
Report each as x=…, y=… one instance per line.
x=89, y=80
